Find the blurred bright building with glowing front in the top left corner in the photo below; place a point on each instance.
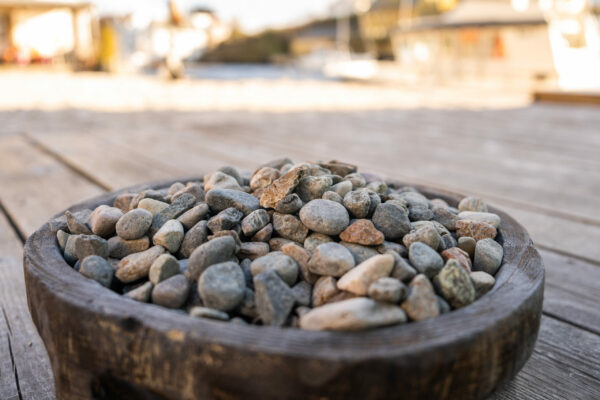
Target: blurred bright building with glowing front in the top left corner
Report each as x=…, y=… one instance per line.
x=49, y=32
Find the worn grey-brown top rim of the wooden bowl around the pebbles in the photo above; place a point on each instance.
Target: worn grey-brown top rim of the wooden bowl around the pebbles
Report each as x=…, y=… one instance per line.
x=518, y=283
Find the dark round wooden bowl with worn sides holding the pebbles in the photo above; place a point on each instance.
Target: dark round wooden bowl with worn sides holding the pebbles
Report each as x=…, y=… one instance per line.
x=105, y=346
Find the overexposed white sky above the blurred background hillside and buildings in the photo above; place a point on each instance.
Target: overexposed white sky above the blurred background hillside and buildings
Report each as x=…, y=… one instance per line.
x=251, y=15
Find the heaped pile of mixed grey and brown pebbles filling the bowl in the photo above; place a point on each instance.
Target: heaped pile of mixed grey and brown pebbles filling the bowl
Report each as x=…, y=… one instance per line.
x=317, y=246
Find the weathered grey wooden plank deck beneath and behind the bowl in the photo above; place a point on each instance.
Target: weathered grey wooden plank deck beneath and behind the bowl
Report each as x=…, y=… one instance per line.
x=541, y=163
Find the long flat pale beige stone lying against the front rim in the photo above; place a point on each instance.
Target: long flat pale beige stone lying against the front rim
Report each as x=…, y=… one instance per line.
x=352, y=315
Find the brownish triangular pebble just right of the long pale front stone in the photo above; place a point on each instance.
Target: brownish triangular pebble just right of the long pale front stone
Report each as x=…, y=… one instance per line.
x=421, y=302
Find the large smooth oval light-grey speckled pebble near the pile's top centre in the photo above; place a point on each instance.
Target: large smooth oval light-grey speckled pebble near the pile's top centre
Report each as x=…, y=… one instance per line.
x=324, y=216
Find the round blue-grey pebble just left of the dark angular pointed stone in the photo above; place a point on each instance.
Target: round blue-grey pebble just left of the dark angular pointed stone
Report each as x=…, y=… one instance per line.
x=222, y=286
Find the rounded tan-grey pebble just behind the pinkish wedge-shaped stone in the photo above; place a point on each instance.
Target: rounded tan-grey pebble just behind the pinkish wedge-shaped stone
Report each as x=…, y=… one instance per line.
x=331, y=259
